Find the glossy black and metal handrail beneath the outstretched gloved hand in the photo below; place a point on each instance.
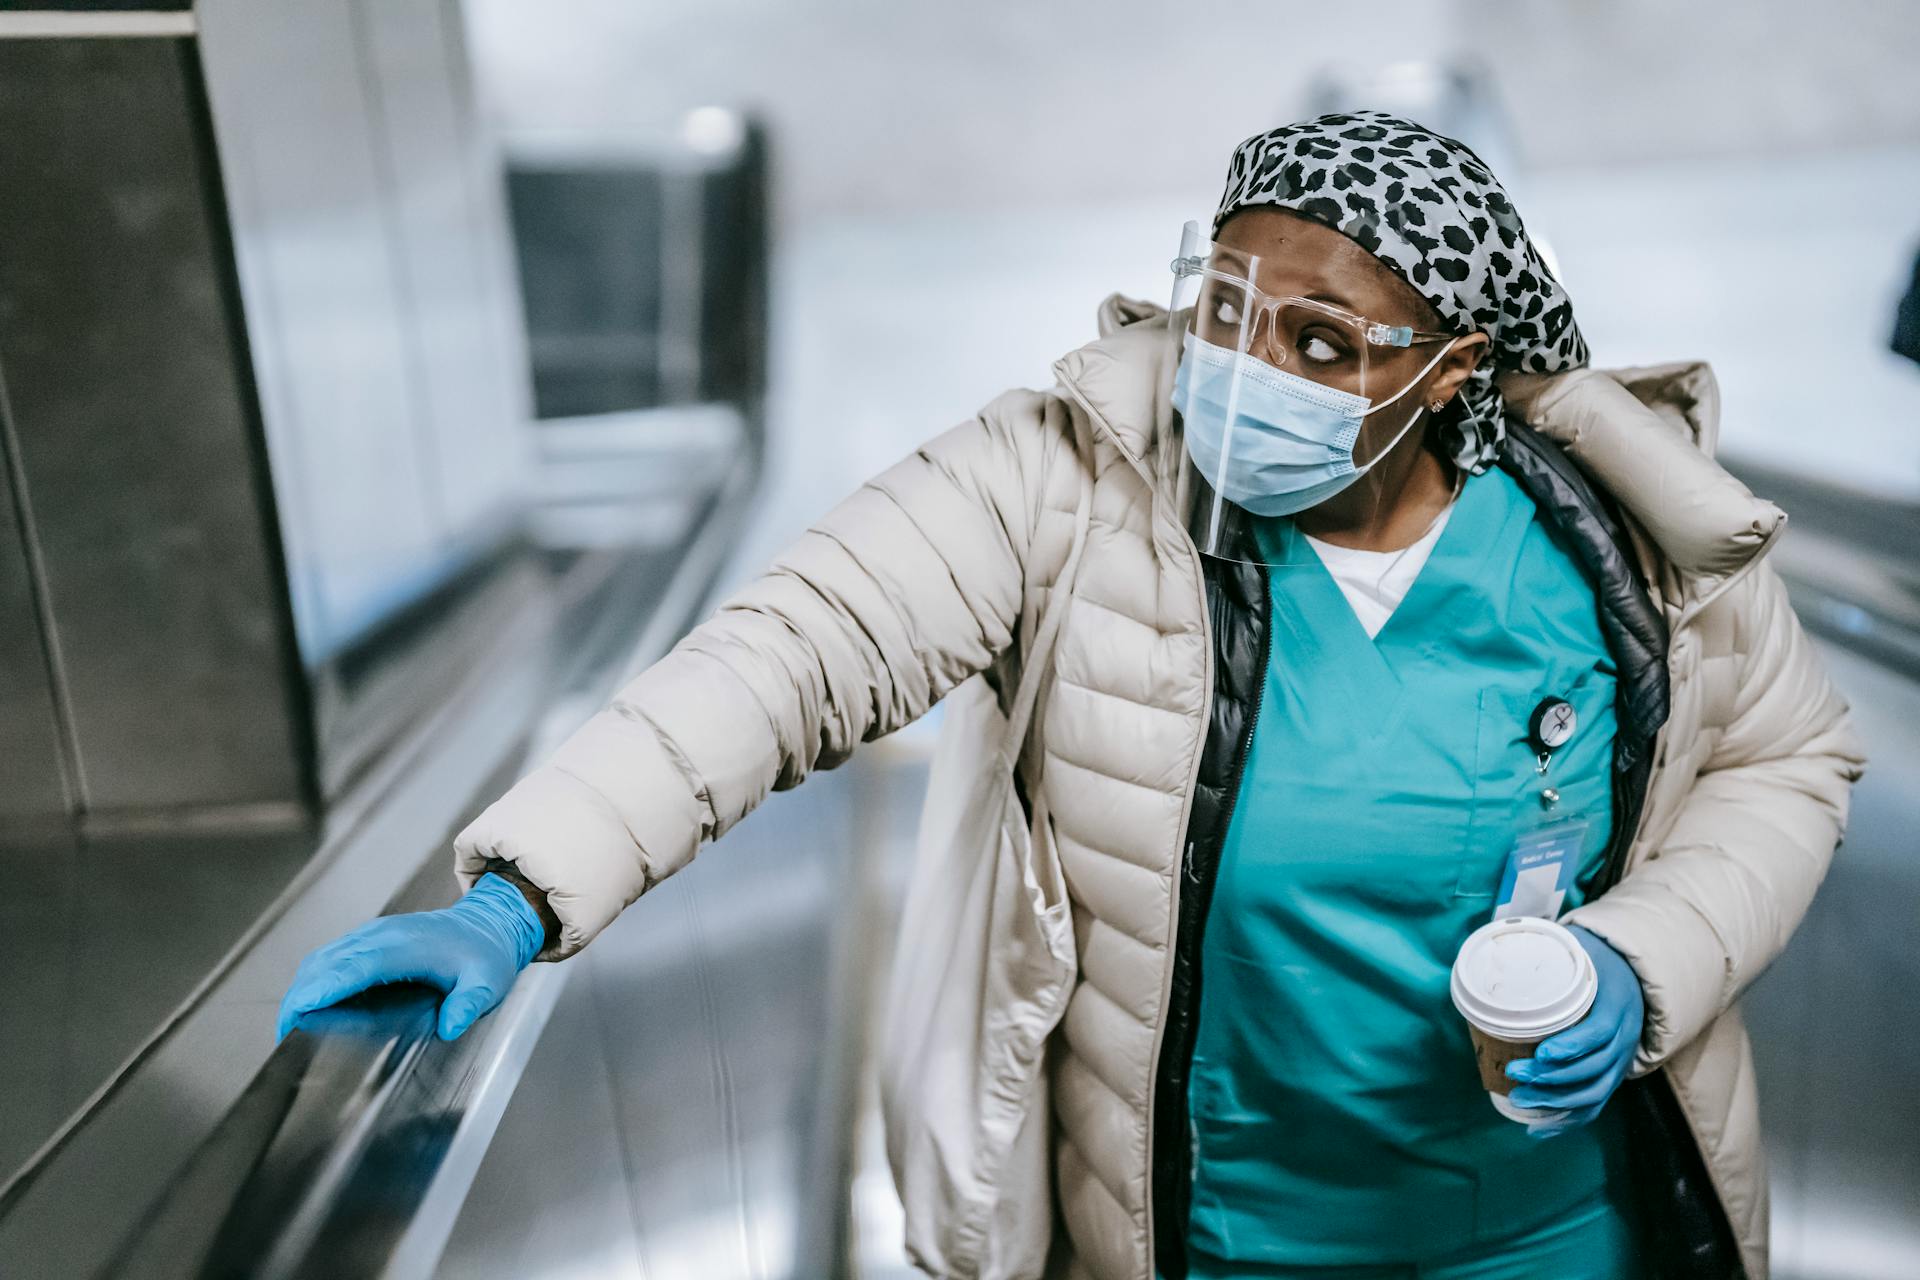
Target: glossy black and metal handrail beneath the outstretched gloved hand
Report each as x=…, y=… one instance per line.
x=350, y=1152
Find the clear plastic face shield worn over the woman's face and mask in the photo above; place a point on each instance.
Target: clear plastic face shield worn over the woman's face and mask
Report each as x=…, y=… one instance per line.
x=1284, y=400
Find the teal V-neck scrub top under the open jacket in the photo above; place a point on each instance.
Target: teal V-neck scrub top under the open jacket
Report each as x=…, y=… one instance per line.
x=1337, y=1114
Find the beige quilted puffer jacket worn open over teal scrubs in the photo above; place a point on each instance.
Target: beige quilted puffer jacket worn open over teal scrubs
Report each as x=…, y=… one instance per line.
x=919, y=581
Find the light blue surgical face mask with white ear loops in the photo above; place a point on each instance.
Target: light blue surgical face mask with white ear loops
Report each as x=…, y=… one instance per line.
x=1291, y=440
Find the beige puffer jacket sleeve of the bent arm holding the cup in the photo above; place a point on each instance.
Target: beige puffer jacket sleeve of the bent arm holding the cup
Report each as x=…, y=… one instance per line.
x=1708, y=911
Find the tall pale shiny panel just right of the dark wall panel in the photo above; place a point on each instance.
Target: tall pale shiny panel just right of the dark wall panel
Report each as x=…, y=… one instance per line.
x=300, y=153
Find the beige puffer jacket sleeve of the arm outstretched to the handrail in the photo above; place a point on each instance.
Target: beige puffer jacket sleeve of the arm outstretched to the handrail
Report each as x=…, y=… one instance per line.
x=898, y=596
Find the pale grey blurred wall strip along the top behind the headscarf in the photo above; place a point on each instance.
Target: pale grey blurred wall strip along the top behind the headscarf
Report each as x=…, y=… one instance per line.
x=890, y=107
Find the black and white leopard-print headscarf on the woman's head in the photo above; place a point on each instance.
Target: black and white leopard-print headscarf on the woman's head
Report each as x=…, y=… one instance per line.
x=1433, y=212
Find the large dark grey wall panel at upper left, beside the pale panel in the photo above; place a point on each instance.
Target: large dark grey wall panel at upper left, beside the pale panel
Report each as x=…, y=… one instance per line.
x=126, y=391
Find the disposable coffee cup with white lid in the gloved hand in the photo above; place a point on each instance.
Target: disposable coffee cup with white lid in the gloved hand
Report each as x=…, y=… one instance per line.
x=1520, y=982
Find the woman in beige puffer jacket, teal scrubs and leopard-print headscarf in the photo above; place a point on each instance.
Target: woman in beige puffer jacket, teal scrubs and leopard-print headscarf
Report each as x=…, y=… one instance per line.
x=1289, y=740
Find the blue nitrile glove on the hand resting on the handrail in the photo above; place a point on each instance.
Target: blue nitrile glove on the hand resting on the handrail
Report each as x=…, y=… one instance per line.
x=471, y=949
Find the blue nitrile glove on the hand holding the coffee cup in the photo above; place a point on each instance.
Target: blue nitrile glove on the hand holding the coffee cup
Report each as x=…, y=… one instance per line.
x=1575, y=1072
